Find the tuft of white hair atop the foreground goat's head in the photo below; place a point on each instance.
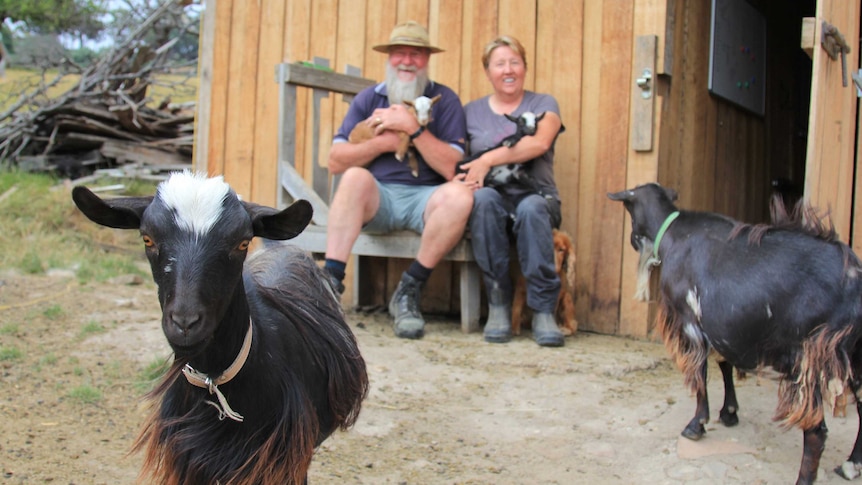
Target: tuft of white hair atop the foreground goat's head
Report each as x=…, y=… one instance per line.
x=195, y=200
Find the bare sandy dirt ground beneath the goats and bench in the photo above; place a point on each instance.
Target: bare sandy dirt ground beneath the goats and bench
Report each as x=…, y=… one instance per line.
x=446, y=409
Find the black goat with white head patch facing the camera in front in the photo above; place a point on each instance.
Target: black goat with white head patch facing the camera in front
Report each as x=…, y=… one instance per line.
x=262, y=342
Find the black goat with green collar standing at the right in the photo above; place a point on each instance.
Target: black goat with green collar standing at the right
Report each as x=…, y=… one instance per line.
x=786, y=296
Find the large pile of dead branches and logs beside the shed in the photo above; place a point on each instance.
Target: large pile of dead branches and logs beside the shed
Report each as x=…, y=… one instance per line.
x=106, y=119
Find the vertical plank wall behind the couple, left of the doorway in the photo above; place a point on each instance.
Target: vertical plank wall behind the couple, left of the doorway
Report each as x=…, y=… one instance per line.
x=579, y=51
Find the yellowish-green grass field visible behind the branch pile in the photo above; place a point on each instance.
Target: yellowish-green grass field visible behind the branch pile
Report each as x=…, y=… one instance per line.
x=20, y=81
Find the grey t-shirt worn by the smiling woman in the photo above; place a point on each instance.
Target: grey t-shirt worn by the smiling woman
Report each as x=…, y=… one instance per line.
x=486, y=129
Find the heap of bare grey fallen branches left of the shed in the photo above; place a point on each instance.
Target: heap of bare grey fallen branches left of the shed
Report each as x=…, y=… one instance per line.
x=108, y=100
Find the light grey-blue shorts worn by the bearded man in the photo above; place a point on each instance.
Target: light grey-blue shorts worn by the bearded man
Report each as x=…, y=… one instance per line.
x=401, y=207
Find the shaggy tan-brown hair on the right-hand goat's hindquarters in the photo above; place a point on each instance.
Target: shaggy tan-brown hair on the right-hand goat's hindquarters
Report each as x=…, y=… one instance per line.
x=821, y=374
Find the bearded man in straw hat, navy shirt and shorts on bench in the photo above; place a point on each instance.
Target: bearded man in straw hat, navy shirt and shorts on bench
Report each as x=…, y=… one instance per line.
x=379, y=194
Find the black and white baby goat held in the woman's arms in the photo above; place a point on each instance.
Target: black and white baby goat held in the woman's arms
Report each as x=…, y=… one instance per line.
x=511, y=173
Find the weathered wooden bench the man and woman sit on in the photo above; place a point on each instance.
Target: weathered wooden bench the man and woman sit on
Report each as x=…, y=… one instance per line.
x=292, y=186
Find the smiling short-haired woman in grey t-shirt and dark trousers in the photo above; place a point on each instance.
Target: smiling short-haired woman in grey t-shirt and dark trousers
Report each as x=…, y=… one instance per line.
x=527, y=212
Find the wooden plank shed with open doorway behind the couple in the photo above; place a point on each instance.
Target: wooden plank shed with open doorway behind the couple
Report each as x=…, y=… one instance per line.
x=715, y=98
